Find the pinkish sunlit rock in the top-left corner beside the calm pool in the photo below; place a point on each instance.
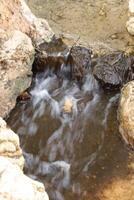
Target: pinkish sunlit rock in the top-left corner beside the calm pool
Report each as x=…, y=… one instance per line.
x=15, y=15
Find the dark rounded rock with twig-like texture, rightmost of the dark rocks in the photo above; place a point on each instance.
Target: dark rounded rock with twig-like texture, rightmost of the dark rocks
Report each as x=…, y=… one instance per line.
x=111, y=70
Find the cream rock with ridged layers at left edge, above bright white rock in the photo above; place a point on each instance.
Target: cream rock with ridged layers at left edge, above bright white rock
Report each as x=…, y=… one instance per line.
x=9, y=145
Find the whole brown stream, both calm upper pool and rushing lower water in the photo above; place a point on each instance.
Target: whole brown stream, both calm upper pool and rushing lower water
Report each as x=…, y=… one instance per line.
x=75, y=152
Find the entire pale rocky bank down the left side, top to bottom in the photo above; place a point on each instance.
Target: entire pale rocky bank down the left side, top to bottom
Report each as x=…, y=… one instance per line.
x=20, y=33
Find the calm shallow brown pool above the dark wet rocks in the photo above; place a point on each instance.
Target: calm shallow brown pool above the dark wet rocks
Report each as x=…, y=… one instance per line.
x=91, y=20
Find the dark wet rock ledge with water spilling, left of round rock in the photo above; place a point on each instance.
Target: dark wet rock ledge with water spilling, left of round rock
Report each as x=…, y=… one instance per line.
x=72, y=64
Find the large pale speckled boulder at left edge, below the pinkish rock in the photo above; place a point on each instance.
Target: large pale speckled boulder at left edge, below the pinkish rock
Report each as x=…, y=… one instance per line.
x=16, y=57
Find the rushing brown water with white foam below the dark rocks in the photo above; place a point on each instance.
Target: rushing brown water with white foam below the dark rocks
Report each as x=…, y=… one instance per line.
x=74, y=153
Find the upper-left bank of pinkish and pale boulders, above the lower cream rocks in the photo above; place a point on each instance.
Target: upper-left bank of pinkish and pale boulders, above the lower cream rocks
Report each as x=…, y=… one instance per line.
x=20, y=32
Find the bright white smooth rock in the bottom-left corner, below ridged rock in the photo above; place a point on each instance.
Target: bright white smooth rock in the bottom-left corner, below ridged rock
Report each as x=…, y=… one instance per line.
x=14, y=185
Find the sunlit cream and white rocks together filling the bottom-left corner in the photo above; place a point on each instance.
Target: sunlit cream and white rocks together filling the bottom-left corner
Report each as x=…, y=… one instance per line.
x=14, y=185
